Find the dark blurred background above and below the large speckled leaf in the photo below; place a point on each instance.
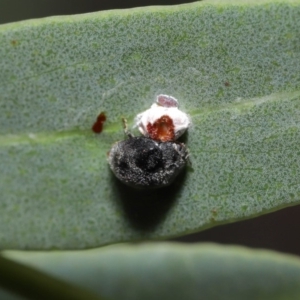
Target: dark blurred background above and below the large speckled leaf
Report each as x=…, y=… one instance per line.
x=278, y=231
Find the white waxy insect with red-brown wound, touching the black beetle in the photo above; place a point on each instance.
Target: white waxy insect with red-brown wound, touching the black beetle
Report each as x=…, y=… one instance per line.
x=163, y=121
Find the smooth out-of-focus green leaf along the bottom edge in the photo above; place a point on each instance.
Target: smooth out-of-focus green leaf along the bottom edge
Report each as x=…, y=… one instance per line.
x=173, y=271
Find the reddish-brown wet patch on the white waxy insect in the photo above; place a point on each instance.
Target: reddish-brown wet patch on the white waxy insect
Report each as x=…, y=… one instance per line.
x=162, y=129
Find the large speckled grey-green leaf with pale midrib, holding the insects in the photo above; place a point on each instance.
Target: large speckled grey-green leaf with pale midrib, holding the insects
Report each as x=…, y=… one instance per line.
x=233, y=65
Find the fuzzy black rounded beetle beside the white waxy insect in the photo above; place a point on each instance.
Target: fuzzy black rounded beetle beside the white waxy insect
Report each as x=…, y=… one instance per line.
x=145, y=163
